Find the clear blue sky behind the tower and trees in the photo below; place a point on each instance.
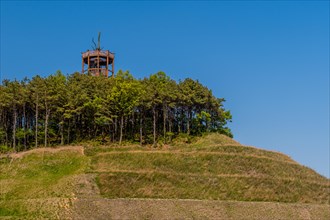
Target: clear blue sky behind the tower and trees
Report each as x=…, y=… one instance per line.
x=268, y=59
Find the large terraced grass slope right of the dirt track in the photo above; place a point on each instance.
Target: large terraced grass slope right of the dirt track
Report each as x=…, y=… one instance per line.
x=214, y=168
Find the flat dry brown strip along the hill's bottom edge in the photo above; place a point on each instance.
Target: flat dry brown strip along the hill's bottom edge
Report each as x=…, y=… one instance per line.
x=195, y=209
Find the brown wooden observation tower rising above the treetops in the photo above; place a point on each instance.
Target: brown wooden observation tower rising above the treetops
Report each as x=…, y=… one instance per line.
x=99, y=62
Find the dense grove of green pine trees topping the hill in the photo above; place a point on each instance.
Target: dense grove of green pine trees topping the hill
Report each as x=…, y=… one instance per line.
x=61, y=109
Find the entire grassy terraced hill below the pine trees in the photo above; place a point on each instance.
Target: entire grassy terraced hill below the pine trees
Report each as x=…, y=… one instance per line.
x=212, y=177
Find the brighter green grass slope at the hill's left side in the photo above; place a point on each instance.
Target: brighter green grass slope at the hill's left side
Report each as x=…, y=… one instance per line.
x=39, y=184
